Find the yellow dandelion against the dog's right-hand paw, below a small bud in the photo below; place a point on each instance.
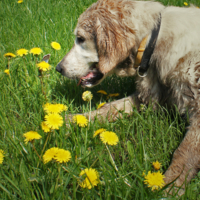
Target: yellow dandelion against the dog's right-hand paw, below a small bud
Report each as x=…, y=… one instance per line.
x=154, y=180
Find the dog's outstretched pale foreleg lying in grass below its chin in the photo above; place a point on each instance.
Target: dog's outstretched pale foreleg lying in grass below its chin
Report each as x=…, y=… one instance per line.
x=113, y=110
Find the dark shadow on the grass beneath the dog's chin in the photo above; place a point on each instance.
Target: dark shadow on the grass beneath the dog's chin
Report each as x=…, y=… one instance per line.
x=68, y=89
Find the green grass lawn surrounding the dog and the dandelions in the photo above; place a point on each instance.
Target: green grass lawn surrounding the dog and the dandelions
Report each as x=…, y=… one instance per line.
x=143, y=138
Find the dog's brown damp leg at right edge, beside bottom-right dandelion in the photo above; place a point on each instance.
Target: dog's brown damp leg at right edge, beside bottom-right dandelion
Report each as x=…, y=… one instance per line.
x=186, y=159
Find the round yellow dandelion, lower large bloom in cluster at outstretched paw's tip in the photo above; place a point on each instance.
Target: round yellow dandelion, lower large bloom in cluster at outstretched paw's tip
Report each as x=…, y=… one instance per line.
x=53, y=120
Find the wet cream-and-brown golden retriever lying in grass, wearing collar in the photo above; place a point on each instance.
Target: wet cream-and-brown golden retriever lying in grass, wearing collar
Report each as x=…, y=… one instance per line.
x=158, y=45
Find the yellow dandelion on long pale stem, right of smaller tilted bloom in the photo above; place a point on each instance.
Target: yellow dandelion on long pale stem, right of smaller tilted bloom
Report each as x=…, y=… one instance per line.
x=109, y=137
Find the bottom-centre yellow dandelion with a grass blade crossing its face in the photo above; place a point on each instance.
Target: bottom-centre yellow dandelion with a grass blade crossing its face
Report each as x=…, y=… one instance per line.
x=91, y=178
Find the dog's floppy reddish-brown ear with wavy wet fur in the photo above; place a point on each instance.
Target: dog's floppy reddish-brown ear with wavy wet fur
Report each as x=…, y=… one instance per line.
x=111, y=42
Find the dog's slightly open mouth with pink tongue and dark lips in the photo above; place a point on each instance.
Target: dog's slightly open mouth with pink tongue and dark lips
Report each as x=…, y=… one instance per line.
x=92, y=78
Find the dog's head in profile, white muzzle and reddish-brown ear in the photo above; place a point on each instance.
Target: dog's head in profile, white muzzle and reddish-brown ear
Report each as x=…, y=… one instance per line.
x=105, y=43
